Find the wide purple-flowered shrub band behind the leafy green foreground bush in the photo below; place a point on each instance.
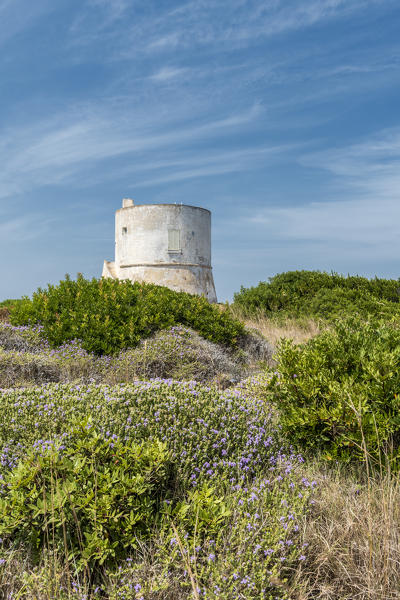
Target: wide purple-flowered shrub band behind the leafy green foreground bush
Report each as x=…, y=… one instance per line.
x=191, y=419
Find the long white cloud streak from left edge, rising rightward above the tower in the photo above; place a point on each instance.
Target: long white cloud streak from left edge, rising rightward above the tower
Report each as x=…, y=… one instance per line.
x=62, y=148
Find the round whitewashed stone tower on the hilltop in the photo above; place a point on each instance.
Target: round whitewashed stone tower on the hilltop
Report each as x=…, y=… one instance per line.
x=166, y=244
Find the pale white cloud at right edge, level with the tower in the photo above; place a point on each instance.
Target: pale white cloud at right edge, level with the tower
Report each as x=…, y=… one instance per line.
x=362, y=208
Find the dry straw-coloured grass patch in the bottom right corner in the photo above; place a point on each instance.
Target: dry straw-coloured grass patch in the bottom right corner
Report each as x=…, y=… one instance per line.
x=353, y=541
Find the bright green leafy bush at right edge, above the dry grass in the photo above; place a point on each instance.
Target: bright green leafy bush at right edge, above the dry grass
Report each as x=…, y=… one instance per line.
x=341, y=389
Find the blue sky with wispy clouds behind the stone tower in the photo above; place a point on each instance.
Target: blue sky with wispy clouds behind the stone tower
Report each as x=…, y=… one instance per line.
x=280, y=116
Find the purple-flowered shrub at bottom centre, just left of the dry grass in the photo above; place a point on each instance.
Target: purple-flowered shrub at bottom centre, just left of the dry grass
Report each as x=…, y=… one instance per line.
x=253, y=541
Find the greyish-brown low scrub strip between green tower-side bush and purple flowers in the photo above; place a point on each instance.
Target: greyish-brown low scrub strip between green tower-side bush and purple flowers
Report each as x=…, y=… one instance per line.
x=177, y=352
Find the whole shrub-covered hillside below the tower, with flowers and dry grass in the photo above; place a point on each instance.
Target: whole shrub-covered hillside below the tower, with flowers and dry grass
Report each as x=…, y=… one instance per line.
x=186, y=468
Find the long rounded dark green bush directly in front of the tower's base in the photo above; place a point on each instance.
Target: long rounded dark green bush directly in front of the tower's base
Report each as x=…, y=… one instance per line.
x=109, y=315
